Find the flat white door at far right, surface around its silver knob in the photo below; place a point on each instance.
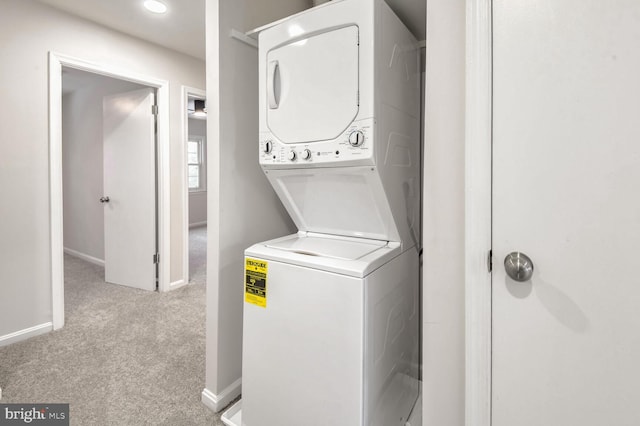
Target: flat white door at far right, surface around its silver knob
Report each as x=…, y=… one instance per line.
x=566, y=343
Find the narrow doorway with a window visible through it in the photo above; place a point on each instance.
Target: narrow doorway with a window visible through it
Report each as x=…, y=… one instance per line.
x=195, y=185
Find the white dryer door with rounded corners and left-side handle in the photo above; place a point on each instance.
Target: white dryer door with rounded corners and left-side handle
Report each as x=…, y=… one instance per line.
x=312, y=86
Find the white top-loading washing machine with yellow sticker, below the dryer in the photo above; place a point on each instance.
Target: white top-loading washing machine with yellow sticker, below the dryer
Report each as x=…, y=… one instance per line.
x=335, y=341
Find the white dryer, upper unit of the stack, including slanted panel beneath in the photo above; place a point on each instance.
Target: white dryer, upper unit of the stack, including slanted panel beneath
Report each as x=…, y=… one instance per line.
x=339, y=120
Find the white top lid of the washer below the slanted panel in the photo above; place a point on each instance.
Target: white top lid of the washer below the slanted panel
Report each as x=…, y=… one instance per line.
x=335, y=248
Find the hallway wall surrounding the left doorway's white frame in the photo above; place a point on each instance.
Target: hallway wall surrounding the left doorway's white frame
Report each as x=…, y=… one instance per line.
x=29, y=30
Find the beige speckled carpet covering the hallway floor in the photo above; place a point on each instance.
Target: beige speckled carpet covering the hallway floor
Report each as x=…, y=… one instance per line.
x=124, y=356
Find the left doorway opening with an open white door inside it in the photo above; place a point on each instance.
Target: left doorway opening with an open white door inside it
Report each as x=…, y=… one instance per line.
x=109, y=176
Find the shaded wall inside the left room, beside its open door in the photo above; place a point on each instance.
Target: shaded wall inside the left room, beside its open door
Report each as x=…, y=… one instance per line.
x=82, y=161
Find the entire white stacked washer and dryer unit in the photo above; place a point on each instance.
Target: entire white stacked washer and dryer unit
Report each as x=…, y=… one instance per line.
x=331, y=314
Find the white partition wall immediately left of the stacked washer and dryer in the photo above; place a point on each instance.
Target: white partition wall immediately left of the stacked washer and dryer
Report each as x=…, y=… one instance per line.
x=242, y=207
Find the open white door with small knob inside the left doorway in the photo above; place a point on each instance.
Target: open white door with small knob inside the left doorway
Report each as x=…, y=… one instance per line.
x=129, y=182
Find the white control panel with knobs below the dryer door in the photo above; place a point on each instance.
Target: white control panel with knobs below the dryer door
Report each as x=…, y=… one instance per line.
x=355, y=145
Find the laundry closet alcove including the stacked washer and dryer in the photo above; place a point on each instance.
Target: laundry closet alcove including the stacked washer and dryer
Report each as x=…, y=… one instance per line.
x=325, y=175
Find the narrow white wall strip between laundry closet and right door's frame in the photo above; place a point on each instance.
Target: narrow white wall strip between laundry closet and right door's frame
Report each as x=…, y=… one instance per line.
x=443, y=216
